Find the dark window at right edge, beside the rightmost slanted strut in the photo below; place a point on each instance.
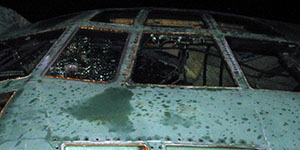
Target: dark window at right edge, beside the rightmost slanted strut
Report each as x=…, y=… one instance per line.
x=268, y=65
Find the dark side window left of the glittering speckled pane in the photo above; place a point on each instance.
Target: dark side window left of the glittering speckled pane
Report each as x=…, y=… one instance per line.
x=18, y=57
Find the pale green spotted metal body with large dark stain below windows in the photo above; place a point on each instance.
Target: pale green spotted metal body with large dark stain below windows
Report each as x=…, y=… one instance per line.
x=46, y=112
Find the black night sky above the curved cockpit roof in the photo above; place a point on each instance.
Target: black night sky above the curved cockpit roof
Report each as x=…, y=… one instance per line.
x=281, y=10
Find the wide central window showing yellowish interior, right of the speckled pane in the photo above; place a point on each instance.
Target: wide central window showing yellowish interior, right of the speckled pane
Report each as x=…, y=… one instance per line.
x=180, y=60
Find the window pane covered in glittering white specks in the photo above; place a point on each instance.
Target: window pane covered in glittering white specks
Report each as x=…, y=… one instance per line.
x=90, y=56
